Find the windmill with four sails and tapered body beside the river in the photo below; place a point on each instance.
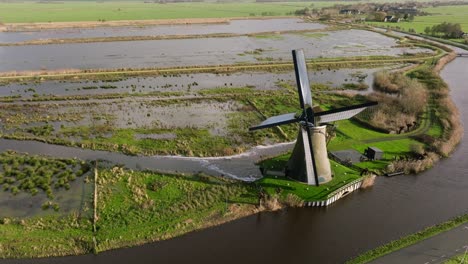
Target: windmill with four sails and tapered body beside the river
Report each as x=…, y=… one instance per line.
x=309, y=161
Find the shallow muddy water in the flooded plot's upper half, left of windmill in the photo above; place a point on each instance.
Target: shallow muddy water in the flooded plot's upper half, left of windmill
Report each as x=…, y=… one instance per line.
x=123, y=114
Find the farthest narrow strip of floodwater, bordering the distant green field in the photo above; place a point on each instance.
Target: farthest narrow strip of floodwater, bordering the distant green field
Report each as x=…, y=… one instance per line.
x=230, y=27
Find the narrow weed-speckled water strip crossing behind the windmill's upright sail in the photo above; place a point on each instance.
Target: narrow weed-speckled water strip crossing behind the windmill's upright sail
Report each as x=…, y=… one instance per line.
x=188, y=83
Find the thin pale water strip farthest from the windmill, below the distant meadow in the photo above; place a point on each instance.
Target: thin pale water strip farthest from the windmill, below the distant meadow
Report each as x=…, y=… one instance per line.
x=234, y=27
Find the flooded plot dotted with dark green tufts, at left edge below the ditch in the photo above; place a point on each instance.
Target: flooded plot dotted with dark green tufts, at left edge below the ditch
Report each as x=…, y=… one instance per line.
x=36, y=186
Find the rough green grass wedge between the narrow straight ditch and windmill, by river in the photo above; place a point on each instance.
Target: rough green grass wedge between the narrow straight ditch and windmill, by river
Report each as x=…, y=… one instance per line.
x=138, y=207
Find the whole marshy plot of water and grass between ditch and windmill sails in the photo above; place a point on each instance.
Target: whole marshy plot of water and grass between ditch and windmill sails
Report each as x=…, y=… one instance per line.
x=145, y=125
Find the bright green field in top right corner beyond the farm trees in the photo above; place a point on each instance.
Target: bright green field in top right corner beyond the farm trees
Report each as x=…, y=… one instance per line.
x=452, y=14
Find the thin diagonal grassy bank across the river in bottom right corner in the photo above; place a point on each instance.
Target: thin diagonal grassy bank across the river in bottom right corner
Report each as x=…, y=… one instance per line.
x=408, y=240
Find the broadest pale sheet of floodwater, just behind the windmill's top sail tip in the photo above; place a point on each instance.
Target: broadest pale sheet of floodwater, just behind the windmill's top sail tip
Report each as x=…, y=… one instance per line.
x=191, y=52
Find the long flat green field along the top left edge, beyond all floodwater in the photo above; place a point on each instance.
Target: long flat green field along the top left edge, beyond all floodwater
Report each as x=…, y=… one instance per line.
x=116, y=10
